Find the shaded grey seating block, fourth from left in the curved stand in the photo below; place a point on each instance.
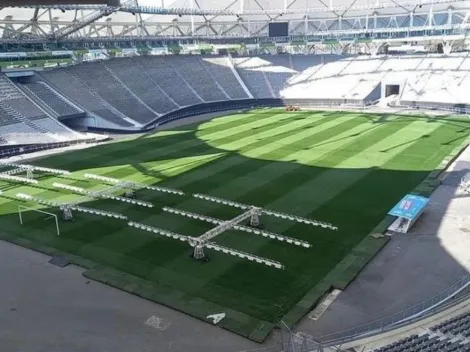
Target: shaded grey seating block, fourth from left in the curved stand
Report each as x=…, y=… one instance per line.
x=141, y=85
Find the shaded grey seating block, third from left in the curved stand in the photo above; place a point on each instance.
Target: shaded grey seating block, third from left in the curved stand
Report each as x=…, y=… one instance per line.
x=95, y=76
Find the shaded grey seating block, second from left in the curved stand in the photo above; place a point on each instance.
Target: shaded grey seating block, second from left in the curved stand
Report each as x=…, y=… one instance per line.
x=76, y=91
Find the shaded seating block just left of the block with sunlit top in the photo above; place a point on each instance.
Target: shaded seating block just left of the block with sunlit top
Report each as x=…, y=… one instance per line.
x=199, y=78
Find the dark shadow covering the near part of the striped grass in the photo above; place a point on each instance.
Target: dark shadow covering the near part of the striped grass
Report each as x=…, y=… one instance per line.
x=355, y=200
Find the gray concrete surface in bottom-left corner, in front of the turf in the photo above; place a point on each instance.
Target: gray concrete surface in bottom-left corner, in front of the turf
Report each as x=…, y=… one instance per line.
x=47, y=308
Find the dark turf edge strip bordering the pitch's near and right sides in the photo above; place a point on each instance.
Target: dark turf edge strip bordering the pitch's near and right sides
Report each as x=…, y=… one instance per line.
x=255, y=329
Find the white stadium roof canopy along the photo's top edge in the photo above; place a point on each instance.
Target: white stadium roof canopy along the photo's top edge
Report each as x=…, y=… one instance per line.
x=214, y=17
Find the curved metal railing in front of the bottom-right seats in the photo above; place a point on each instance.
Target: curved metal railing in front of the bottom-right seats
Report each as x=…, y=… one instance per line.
x=403, y=317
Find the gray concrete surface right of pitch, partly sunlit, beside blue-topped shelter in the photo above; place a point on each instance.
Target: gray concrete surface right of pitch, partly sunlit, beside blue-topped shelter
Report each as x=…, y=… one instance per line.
x=412, y=267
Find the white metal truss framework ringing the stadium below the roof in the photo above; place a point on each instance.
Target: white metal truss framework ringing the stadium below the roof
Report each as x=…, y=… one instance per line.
x=418, y=15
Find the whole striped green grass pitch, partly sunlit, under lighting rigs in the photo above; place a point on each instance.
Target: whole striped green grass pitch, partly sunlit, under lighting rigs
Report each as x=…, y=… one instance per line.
x=345, y=168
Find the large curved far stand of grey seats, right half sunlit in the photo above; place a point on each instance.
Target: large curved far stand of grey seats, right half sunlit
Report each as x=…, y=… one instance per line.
x=138, y=91
